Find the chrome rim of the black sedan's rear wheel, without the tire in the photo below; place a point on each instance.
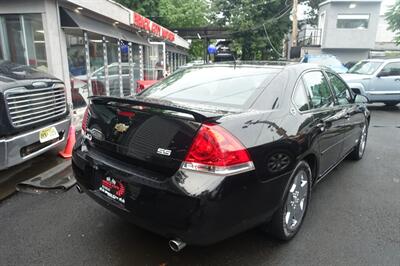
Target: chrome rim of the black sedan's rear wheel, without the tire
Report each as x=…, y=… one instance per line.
x=296, y=202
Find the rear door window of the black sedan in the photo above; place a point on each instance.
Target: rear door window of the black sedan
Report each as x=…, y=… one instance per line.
x=318, y=89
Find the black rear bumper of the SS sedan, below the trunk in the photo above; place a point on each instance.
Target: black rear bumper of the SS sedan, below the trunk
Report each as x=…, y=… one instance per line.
x=189, y=206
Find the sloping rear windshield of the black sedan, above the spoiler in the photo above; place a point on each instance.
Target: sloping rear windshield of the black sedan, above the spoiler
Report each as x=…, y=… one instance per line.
x=219, y=85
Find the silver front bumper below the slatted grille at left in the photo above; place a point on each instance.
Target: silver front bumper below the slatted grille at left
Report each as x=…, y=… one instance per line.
x=11, y=148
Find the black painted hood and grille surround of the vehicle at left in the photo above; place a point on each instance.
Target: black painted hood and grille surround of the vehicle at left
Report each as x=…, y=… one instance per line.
x=25, y=78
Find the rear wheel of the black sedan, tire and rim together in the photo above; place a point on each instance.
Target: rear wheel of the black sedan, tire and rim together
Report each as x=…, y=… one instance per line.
x=287, y=220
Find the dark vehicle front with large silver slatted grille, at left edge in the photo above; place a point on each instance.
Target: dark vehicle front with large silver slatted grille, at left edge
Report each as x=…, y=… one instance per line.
x=34, y=115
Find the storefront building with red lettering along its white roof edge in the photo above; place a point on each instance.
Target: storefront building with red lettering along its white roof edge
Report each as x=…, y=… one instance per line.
x=97, y=47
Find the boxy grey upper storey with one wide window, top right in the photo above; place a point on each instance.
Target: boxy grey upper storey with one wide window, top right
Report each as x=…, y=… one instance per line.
x=348, y=28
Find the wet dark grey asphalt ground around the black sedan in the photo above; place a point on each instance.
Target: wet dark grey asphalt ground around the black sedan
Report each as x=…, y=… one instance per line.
x=354, y=219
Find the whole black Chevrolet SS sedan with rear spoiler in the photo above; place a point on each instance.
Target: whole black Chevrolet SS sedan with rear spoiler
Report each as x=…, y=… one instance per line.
x=214, y=150
